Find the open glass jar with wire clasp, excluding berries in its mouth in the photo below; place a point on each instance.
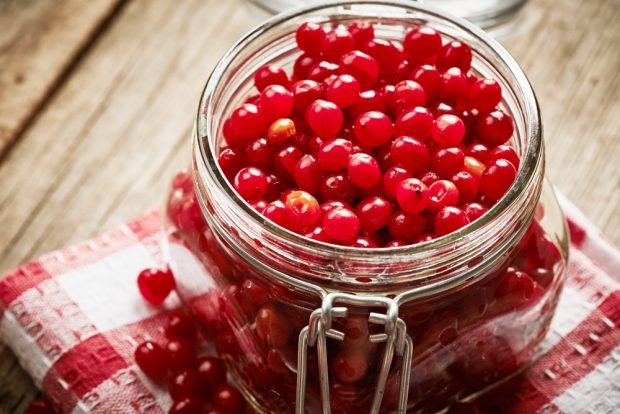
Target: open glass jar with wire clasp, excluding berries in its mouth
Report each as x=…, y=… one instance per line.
x=303, y=324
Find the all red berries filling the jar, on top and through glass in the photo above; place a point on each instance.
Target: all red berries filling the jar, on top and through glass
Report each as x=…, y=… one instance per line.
x=367, y=142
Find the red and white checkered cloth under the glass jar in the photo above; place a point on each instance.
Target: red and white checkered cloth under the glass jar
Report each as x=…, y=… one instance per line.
x=74, y=317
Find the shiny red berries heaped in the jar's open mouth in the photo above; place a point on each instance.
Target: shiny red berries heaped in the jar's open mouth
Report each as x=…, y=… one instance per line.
x=370, y=142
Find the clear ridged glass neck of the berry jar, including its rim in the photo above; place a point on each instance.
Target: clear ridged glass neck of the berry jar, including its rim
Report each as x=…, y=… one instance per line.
x=299, y=261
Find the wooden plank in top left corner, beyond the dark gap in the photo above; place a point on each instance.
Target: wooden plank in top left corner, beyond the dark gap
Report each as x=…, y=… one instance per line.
x=38, y=42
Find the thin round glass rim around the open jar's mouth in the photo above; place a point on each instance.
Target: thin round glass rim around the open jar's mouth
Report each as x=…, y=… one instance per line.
x=525, y=174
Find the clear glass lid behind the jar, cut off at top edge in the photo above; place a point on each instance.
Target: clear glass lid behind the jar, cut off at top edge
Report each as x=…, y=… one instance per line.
x=488, y=14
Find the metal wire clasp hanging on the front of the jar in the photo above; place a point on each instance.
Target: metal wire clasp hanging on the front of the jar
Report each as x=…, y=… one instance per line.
x=320, y=327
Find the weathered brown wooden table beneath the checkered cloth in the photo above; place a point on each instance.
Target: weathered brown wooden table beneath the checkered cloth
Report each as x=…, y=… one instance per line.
x=97, y=100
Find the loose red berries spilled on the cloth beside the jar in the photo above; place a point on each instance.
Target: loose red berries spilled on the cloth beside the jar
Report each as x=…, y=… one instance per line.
x=194, y=383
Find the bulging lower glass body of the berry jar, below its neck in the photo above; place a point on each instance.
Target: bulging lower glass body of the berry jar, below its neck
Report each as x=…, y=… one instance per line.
x=463, y=341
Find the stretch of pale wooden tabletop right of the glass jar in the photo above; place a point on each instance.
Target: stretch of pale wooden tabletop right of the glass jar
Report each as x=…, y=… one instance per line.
x=570, y=54
